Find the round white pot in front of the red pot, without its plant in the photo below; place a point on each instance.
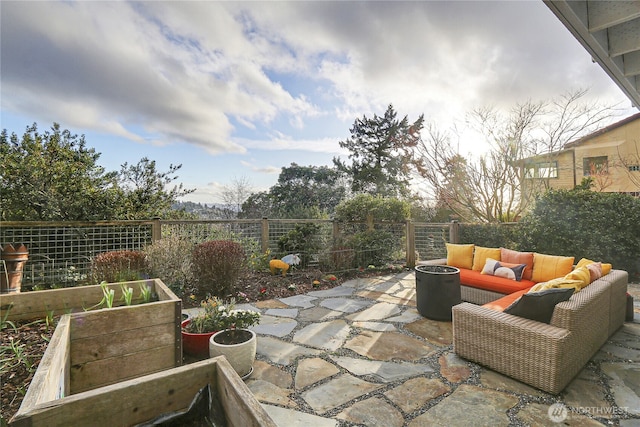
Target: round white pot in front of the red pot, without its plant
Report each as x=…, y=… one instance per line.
x=240, y=355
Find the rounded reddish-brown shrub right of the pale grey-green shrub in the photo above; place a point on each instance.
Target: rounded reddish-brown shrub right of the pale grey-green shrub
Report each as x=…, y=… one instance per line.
x=217, y=265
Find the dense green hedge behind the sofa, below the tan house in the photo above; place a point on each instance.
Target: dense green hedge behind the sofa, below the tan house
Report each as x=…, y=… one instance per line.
x=584, y=224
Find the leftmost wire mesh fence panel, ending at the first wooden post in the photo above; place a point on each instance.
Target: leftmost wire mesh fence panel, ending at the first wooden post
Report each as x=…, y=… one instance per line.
x=60, y=254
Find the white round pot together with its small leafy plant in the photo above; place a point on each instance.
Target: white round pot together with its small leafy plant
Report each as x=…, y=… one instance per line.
x=237, y=343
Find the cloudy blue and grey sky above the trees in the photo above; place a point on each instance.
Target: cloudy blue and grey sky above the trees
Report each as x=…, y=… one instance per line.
x=234, y=91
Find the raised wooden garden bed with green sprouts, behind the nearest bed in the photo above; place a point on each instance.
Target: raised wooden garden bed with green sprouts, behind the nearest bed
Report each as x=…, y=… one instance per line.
x=91, y=349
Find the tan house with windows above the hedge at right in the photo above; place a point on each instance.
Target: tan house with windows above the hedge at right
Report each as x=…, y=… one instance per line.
x=609, y=156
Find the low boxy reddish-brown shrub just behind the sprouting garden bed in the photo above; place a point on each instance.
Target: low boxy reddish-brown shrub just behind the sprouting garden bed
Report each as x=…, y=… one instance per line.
x=118, y=266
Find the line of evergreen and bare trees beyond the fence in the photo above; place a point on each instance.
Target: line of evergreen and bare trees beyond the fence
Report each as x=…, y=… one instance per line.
x=55, y=176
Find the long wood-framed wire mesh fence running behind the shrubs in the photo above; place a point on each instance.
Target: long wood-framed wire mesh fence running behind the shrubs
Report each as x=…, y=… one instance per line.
x=61, y=252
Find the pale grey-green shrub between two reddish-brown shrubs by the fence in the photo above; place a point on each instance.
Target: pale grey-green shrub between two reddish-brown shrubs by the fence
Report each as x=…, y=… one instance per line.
x=169, y=259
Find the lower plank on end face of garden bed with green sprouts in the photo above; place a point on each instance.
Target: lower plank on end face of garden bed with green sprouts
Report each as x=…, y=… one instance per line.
x=98, y=373
